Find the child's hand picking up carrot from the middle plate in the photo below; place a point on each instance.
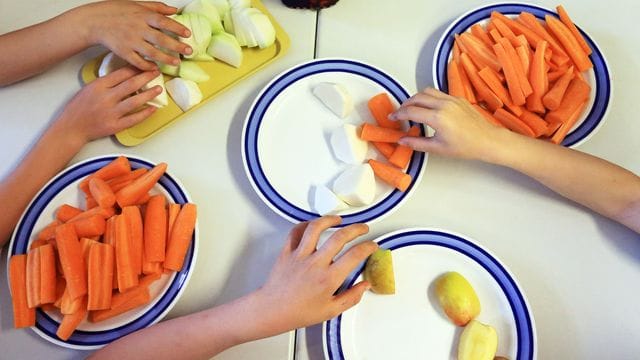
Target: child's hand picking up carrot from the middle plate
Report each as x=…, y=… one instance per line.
x=460, y=130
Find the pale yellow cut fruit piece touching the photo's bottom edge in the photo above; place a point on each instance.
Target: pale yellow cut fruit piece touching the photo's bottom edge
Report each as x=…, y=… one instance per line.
x=478, y=341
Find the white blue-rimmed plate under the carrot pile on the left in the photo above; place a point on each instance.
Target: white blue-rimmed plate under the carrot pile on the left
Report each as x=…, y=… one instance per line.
x=165, y=292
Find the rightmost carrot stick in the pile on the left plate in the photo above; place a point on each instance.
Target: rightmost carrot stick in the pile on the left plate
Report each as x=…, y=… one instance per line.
x=181, y=234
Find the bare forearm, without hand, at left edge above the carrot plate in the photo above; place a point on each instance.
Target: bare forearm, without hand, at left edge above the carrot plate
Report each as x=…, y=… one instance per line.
x=50, y=154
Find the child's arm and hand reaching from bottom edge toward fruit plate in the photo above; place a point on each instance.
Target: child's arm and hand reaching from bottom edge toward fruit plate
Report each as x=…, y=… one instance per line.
x=299, y=292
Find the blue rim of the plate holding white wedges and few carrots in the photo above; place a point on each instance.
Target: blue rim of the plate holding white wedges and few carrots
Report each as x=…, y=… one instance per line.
x=251, y=133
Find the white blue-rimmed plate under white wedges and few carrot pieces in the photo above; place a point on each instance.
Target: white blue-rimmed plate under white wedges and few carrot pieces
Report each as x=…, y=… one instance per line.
x=285, y=147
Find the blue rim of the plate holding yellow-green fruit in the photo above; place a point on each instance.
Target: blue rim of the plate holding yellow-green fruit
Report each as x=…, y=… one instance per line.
x=525, y=330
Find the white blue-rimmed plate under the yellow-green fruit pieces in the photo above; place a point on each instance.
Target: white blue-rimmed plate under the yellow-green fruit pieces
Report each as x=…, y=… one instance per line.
x=410, y=324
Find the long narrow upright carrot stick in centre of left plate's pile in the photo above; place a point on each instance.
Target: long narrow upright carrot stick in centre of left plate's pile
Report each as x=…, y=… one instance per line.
x=127, y=275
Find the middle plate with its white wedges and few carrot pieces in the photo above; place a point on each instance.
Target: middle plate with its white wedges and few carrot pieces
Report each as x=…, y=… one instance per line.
x=289, y=143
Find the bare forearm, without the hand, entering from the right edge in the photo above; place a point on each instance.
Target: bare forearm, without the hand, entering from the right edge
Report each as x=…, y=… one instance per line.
x=593, y=182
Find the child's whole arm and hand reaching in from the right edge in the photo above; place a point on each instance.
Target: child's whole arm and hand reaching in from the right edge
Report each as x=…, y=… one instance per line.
x=460, y=131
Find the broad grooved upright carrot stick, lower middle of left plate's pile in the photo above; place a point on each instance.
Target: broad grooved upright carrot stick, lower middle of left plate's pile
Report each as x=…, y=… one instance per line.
x=100, y=276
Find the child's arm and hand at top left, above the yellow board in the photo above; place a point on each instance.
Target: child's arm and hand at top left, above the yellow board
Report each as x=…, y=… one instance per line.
x=130, y=29
